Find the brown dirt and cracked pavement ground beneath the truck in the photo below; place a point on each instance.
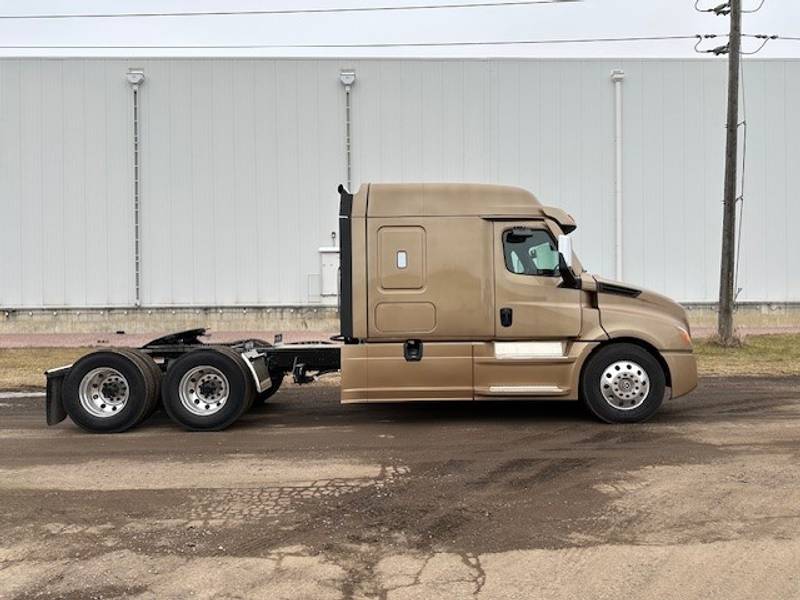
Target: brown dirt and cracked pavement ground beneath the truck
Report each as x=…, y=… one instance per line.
x=309, y=499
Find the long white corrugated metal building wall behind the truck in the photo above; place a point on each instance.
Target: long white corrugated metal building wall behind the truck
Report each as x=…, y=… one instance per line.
x=240, y=159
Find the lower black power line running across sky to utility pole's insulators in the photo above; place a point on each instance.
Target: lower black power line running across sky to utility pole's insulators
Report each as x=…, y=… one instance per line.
x=364, y=45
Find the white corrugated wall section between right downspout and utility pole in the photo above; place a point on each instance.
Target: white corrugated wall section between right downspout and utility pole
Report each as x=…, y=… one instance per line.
x=673, y=130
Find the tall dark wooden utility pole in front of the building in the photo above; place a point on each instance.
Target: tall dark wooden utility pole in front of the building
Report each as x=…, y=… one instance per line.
x=725, y=331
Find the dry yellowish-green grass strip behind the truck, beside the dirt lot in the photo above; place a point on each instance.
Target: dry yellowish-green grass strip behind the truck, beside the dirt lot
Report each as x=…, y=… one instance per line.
x=779, y=354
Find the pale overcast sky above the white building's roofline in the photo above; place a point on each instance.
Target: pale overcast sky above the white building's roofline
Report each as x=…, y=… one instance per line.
x=589, y=18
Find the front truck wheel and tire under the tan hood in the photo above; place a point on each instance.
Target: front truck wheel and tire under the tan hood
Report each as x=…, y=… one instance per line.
x=623, y=383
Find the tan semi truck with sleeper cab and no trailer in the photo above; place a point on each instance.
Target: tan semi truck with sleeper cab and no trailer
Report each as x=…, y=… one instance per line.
x=447, y=292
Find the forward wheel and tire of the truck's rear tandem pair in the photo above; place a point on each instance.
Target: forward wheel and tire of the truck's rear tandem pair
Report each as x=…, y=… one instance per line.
x=207, y=389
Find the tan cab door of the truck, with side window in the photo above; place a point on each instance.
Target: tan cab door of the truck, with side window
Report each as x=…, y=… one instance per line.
x=529, y=302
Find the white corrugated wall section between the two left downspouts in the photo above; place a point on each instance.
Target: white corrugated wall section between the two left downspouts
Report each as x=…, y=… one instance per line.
x=242, y=162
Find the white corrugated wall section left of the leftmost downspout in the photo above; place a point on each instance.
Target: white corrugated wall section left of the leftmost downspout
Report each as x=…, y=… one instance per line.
x=65, y=185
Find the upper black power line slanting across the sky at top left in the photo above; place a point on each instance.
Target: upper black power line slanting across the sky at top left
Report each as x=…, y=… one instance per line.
x=289, y=11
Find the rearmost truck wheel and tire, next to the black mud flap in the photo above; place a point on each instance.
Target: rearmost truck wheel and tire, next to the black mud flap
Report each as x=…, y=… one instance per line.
x=108, y=391
